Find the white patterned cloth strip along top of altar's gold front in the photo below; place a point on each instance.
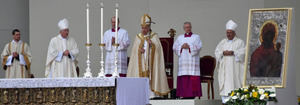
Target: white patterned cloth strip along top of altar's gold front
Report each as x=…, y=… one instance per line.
x=59, y=82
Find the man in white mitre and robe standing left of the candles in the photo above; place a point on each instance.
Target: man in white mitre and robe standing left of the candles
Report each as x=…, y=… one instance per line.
x=62, y=52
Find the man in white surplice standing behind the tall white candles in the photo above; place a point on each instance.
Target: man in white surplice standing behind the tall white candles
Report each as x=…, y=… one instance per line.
x=123, y=41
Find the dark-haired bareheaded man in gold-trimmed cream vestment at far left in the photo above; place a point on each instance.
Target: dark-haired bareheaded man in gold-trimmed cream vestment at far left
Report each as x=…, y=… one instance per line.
x=16, y=57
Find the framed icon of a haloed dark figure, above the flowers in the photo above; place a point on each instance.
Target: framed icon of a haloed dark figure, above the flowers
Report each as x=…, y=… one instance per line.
x=267, y=47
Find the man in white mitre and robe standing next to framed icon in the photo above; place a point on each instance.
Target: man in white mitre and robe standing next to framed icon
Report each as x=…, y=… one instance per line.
x=230, y=54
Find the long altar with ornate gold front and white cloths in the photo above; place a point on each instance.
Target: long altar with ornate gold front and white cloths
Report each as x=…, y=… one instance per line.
x=74, y=91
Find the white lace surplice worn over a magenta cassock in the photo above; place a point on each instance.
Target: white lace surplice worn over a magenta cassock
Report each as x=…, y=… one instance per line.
x=189, y=61
